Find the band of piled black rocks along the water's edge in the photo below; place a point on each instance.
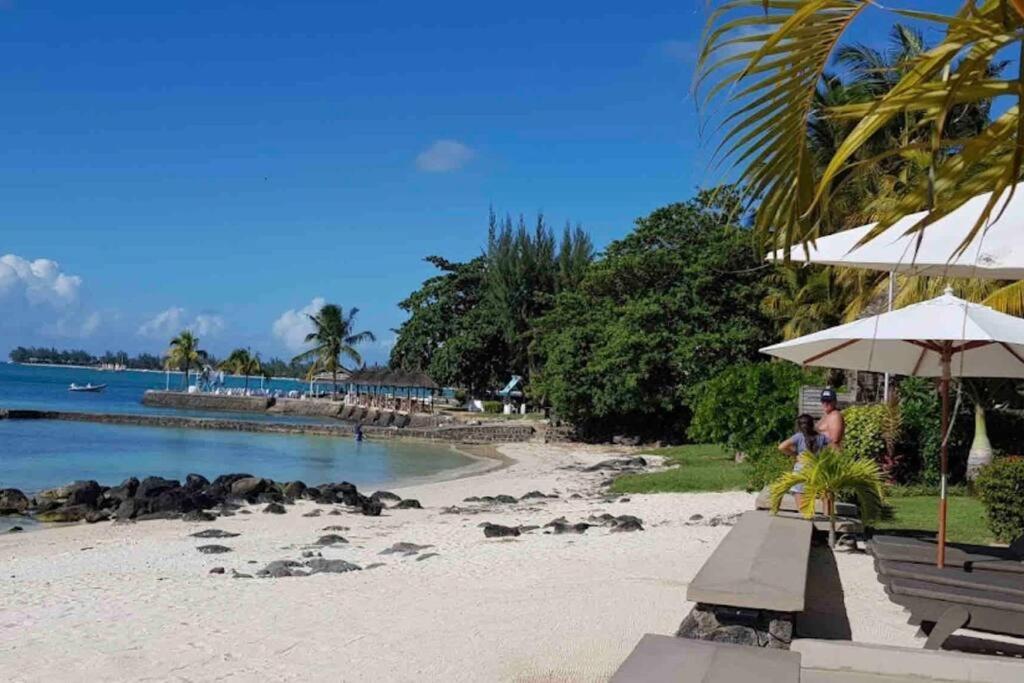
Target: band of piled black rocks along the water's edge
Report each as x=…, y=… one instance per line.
x=196, y=500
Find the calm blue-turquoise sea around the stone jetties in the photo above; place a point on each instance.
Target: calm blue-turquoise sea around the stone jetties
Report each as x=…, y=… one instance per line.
x=38, y=454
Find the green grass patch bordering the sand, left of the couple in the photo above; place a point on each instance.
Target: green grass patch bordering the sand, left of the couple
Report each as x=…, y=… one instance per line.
x=701, y=467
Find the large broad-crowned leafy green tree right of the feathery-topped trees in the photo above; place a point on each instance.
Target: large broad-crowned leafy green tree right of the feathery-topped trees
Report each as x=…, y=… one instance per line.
x=668, y=308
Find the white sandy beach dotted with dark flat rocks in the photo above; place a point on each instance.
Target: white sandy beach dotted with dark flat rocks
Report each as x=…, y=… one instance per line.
x=138, y=603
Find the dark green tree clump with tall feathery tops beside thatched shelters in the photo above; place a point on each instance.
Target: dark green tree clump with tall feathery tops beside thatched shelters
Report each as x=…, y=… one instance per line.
x=473, y=325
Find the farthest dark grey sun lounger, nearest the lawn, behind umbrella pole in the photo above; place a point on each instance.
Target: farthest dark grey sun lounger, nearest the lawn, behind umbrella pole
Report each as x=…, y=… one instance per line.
x=922, y=550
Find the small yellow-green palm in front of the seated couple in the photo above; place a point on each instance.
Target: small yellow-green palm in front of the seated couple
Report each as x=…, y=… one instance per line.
x=827, y=476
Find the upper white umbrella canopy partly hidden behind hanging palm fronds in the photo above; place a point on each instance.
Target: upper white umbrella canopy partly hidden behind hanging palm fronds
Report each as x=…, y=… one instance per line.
x=996, y=252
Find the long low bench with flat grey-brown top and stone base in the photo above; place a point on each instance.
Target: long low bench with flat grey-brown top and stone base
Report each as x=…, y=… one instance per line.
x=752, y=586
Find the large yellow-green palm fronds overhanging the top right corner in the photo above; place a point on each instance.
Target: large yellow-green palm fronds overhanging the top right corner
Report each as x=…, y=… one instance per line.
x=767, y=59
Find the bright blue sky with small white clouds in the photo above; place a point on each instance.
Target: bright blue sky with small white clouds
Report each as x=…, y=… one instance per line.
x=222, y=165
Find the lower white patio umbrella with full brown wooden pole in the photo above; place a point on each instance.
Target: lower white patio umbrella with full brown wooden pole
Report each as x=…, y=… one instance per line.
x=945, y=337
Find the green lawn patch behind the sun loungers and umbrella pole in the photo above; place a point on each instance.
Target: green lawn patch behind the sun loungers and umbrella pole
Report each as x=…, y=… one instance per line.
x=966, y=521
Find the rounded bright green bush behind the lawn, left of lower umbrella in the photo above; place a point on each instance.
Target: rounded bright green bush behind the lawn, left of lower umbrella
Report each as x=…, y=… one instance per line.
x=749, y=405
